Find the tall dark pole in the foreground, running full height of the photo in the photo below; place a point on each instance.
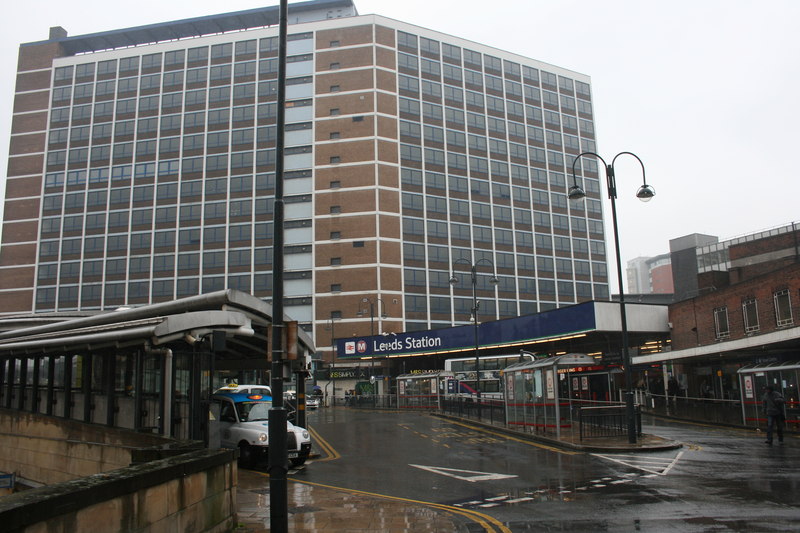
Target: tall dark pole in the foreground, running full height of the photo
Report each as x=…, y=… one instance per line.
x=278, y=438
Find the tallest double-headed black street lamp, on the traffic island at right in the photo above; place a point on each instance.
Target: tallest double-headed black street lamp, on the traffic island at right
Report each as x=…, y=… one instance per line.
x=645, y=193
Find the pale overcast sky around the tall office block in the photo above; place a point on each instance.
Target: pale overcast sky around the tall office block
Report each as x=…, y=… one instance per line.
x=705, y=92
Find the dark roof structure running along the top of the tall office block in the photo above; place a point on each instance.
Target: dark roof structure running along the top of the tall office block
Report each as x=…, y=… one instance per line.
x=186, y=28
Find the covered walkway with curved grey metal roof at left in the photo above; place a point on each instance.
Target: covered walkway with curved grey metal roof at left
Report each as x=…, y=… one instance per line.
x=149, y=368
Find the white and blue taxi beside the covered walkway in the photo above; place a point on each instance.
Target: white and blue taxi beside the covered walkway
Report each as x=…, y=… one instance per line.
x=243, y=423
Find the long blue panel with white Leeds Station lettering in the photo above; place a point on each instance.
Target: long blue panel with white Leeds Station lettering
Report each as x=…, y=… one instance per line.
x=558, y=322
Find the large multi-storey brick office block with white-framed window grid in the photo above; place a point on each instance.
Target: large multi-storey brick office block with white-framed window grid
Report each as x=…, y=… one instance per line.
x=141, y=170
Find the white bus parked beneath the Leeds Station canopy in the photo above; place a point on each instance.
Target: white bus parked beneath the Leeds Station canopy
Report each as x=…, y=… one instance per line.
x=463, y=372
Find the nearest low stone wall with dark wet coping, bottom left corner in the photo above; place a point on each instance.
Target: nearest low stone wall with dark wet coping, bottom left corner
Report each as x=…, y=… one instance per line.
x=192, y=492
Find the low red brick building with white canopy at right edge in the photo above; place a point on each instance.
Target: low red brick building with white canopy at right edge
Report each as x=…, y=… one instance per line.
x=744, y=312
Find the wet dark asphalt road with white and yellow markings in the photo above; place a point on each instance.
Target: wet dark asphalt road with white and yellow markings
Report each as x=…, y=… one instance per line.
x=478, y=480
